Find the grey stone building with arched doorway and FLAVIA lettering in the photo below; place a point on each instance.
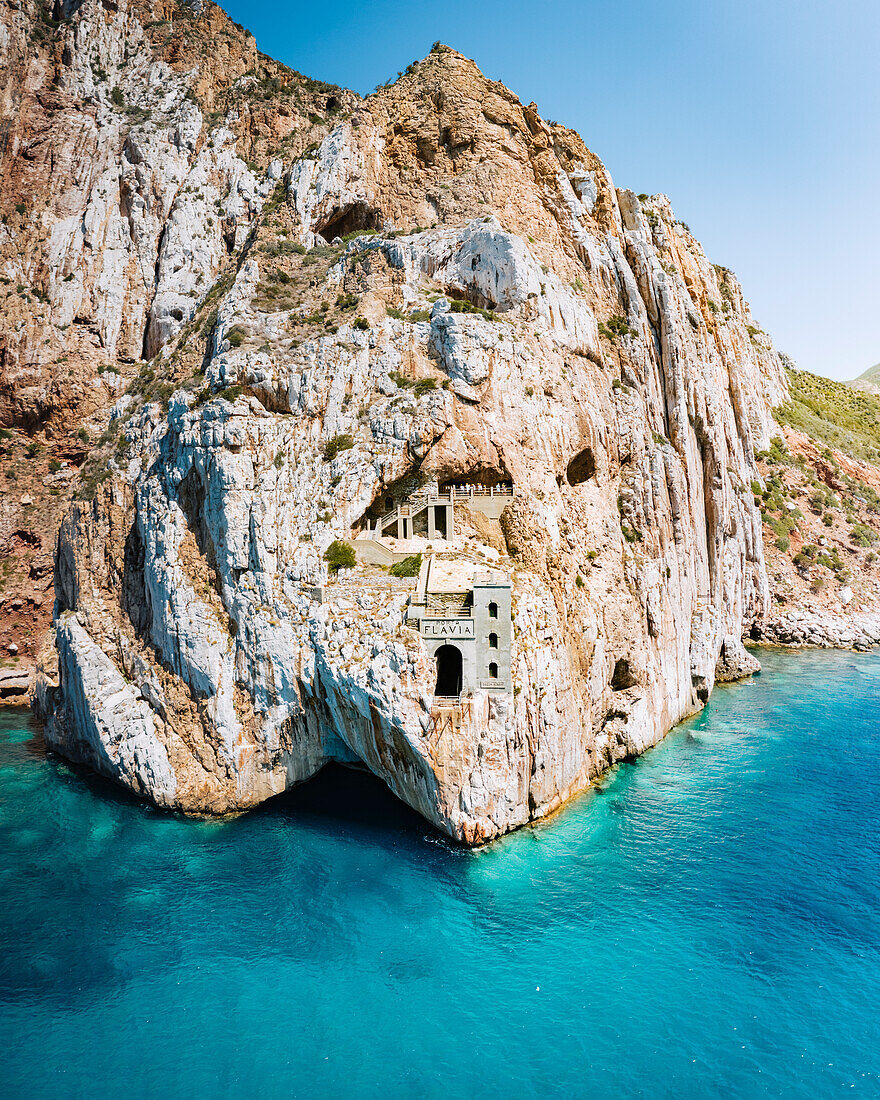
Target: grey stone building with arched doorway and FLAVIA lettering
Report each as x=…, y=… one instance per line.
x=464, y=615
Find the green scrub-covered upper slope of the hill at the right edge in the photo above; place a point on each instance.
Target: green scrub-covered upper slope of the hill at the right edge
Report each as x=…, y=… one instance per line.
x=834, y=414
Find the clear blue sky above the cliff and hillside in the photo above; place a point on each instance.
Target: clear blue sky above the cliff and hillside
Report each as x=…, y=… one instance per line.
x=761, y=119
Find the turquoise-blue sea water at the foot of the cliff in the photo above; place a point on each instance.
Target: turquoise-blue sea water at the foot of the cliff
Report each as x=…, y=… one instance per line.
x=707, y=925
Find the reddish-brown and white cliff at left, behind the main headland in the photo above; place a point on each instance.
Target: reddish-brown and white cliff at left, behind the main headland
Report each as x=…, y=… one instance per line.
x=139, y=144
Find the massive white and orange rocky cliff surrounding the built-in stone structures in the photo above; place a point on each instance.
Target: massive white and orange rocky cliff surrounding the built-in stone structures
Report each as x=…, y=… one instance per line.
x=430, y=284
